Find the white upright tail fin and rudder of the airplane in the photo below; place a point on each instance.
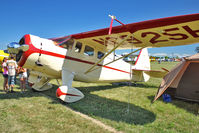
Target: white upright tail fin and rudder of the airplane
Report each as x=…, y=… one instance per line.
x=142, y=64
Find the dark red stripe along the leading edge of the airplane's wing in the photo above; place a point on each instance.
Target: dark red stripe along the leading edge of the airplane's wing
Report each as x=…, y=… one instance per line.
x=133, y=27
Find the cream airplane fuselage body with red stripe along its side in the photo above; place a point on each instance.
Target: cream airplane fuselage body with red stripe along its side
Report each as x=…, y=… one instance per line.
x=54, y=58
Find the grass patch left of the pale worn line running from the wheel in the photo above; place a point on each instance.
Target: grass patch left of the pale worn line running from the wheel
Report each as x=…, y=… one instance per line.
x=33, y=112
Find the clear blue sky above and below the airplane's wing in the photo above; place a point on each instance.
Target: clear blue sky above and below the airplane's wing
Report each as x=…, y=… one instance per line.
x=54, y=18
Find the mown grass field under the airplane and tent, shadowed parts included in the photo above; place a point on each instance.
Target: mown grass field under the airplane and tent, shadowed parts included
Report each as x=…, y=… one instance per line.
x=125, y=108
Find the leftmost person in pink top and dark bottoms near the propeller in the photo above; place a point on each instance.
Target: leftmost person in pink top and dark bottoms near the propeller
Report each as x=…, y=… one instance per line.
x=5, y=74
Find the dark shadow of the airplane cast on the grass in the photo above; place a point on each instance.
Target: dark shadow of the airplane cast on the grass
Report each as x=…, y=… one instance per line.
x=94, y=105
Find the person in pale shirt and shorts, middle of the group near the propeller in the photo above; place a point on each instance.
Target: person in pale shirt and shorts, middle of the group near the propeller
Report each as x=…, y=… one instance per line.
x=12, y=66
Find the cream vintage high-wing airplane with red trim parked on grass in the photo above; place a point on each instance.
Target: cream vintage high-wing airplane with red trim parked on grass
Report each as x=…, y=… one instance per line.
x=90, y=57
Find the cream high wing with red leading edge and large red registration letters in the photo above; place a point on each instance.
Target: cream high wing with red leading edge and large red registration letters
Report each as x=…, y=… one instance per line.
x=171, y=31
